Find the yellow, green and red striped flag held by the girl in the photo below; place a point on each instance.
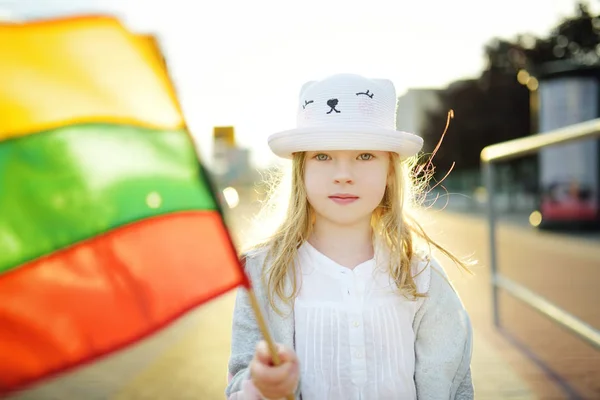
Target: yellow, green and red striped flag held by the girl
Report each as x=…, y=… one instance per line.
x=108, y=230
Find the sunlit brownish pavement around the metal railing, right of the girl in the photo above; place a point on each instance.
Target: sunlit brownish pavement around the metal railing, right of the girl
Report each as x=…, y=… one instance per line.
x=529, y=357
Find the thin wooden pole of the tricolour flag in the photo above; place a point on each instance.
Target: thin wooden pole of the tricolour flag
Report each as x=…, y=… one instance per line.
x=262, y=325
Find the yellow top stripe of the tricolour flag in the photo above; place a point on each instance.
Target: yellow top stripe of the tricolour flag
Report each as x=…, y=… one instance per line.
x=80, y=70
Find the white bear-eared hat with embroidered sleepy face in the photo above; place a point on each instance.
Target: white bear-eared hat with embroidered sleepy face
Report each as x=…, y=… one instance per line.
x=346, y=112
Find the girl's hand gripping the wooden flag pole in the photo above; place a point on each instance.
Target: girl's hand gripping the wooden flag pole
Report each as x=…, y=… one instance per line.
x=274, y=382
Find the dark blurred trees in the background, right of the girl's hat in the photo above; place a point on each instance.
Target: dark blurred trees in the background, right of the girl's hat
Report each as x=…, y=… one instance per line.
x=496, y=106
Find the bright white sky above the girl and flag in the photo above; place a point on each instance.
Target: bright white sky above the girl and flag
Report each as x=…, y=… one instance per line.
x=242, y=62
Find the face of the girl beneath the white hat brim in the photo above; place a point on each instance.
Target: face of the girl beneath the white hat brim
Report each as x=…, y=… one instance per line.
x=345, y=187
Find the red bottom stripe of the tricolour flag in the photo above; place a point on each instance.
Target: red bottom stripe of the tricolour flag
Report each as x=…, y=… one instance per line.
x=100, y=295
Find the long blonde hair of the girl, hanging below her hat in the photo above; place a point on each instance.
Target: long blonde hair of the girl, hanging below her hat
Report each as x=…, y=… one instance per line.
x=393, y=220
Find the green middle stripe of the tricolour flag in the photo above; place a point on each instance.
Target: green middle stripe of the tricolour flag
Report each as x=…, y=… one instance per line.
x=69, y=184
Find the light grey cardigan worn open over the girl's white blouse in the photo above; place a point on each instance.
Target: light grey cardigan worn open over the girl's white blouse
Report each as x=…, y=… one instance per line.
x=443, y=344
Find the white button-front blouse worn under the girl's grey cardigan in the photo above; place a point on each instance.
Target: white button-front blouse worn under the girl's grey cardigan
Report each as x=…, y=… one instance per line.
x=353, y=332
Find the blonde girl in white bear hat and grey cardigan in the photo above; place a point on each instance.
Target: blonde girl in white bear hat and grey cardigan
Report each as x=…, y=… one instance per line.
x=359, y=308
